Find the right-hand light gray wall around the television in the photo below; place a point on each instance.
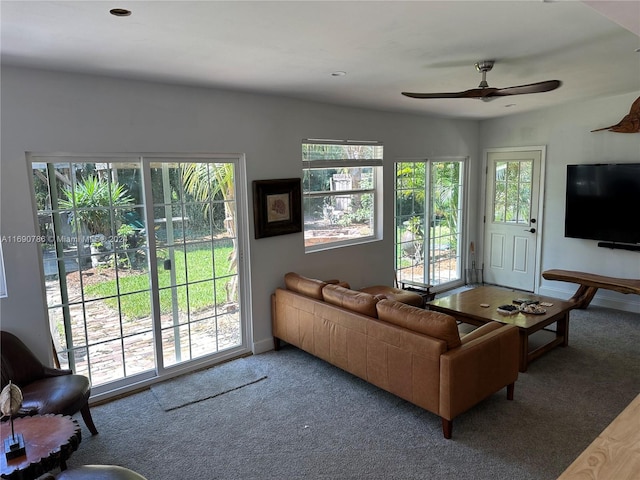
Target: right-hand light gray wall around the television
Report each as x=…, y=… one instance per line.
x=566, y=131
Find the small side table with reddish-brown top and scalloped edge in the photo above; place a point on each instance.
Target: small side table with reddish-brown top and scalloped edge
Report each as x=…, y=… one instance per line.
x=49, y=440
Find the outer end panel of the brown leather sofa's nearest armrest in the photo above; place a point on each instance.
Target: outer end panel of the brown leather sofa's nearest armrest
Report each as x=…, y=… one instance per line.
x=478, y=369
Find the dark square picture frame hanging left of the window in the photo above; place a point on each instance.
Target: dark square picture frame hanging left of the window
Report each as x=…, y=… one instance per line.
x=277, y=207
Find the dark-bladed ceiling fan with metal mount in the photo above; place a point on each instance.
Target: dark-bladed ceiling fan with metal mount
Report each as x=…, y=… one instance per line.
x=487, y=93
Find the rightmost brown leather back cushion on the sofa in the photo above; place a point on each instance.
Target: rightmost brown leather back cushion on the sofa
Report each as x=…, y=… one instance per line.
x=434, y=324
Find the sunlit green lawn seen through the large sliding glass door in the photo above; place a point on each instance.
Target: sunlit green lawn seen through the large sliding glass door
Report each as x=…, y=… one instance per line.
x=205, y=292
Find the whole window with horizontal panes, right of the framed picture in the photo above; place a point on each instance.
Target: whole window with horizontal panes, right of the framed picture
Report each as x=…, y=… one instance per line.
x=342, y=193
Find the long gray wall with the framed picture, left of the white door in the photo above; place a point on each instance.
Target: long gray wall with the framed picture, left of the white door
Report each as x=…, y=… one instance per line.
x=56, y=112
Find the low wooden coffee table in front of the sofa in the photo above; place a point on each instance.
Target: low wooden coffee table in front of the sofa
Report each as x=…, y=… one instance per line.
x=466, y=307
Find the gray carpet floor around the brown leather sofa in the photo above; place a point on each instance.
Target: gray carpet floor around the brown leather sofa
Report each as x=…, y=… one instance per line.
x=311, y=420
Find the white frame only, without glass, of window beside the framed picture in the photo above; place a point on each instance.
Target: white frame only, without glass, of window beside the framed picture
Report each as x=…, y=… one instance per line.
x=376, y=190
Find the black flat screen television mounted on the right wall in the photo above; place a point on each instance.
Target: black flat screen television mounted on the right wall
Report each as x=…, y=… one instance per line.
x=603, y=202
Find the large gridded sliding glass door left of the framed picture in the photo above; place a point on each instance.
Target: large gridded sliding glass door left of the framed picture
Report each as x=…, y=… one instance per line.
x=141, y=260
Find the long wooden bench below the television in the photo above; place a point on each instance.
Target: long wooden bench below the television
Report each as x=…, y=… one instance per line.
x=589, y=284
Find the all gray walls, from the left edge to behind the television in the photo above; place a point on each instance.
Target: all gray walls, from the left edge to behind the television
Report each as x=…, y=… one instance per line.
x=57, y=112
